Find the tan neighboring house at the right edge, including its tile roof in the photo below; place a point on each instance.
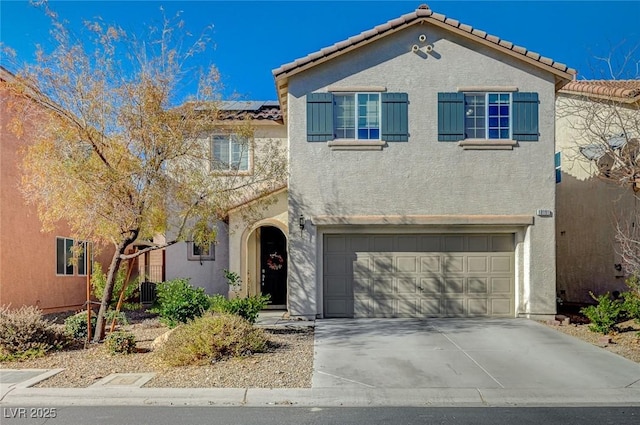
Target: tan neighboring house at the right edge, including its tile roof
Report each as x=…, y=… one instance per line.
x=589, y=208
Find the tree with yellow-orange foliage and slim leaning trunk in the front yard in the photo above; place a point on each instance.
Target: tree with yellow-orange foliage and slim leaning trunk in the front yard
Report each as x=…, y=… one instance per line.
x=122, y=154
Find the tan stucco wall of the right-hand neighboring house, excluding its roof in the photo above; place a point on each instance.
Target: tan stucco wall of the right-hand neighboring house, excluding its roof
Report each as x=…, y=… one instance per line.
x=588, y=209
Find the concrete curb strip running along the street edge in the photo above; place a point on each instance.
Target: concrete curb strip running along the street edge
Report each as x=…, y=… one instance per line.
x=319, y=397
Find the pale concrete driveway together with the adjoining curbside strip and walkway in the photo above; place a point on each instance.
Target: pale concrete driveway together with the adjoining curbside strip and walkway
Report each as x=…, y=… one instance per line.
x=397, y=362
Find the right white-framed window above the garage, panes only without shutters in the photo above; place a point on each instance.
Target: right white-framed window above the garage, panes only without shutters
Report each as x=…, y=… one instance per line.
x=487, y=115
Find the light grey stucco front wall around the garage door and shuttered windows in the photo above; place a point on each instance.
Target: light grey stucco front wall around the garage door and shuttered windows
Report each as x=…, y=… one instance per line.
x=423, y=176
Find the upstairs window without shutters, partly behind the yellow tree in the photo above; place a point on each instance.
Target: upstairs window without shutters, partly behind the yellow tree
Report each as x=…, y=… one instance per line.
x=229, y=152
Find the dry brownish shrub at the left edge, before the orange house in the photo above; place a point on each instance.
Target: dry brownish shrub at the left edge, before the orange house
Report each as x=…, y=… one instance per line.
x=24, y=333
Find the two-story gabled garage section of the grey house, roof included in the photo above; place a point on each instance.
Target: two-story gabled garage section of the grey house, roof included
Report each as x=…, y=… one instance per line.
x=421, y=174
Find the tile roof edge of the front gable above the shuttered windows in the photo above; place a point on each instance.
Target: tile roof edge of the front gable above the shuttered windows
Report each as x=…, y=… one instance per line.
x=420, y=15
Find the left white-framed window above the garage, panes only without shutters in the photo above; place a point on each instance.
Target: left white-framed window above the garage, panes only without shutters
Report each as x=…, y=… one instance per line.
x=357, y=116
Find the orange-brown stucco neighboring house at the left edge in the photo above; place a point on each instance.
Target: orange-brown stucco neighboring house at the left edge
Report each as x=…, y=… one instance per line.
x=34, y=265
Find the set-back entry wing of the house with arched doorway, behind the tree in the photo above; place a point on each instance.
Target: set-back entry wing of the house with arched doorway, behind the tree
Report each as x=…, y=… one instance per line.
x=254, y=228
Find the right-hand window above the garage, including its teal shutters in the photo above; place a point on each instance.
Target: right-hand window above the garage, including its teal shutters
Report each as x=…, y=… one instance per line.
x=498, y=117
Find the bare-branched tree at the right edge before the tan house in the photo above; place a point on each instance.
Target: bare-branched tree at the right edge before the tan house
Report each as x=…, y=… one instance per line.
x=604, y=119
